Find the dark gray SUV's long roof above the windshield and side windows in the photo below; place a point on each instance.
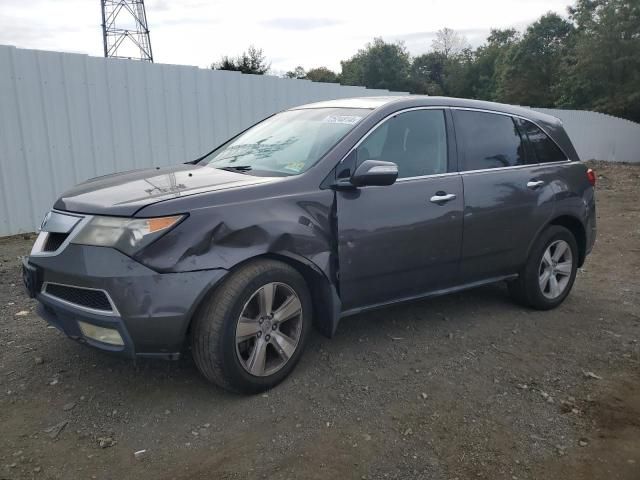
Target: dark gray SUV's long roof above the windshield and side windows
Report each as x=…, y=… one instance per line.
x=399, y=102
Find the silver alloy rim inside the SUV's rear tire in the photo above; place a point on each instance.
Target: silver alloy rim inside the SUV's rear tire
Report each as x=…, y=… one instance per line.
x=556, y=267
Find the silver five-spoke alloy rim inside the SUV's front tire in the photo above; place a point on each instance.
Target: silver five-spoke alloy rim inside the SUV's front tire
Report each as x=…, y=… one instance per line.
x=269, y=329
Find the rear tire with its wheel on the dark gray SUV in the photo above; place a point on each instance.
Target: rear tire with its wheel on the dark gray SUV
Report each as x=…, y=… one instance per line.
x=528, y=288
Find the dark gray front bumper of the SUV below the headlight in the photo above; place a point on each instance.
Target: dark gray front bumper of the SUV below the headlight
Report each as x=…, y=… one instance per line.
x=151, y=310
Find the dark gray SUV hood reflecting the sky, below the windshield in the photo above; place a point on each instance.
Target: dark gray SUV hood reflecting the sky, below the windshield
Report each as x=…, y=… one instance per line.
x=125, y=193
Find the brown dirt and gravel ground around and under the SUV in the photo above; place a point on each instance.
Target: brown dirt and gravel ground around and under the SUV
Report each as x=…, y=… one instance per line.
x=464, y=386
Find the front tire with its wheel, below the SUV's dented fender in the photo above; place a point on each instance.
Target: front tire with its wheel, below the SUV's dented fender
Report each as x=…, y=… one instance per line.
x=251, y=365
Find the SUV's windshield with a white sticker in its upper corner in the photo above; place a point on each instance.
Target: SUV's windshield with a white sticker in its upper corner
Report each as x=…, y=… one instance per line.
x=287, y=143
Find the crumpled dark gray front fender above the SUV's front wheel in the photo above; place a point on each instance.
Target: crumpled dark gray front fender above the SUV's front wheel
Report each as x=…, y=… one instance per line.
x=225, y=234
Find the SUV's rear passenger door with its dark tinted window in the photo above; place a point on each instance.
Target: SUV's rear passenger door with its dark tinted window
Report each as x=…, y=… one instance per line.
x=508, y=196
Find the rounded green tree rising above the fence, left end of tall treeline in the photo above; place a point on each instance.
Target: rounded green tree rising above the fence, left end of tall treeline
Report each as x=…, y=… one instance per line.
x=378, y=65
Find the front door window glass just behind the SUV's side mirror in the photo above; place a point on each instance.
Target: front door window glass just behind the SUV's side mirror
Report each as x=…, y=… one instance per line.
x=416, y=141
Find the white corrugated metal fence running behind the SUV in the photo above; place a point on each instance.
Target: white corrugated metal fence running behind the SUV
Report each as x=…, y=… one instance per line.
x=66, y=117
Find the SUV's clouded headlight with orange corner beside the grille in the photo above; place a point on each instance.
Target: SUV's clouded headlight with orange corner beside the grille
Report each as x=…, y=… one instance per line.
x=126, y=234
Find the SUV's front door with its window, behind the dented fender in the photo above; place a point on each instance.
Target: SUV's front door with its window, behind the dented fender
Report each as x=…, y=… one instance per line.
x=404, y=239
